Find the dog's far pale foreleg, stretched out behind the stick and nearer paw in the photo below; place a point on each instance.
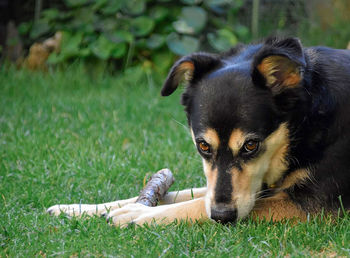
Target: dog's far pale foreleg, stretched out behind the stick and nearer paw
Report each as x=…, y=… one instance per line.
x=99, y=209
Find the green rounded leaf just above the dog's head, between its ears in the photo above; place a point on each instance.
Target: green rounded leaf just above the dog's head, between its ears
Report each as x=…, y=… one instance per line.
x=223, y=40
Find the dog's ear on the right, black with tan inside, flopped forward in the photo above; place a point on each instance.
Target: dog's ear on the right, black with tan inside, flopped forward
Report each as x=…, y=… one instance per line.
x=279, y=64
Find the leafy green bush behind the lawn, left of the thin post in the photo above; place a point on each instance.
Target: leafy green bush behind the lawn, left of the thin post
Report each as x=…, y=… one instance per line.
x=138, y=31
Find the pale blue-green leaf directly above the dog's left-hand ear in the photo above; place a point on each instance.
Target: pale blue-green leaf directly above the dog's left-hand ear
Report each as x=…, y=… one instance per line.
x=182, y=45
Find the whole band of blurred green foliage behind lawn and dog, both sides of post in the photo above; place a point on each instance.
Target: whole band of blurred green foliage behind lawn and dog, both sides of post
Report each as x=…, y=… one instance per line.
x=150, y=34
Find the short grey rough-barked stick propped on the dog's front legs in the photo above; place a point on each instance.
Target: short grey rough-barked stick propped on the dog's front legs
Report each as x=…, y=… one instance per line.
x=156, y=188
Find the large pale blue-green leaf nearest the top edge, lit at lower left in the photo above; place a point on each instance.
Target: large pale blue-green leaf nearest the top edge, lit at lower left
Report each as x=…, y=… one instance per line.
x=192, y=20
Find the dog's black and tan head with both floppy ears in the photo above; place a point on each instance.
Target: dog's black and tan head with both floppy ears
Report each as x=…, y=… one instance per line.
x=237, y=106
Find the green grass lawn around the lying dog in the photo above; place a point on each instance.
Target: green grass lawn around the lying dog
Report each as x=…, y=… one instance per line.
x=68, y=138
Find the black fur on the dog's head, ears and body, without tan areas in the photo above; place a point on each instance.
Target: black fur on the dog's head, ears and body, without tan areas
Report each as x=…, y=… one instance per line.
x=227, y=91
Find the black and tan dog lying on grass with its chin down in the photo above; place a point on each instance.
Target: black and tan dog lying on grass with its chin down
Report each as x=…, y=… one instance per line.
x=271, y=122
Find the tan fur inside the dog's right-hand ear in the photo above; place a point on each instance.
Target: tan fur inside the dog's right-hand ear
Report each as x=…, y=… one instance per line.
x=279, y=70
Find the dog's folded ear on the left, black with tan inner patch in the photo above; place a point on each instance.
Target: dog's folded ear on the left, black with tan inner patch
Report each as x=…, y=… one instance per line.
x=190, y=69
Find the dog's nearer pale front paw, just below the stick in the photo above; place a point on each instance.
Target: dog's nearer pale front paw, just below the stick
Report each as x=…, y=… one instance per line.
x=134, y=213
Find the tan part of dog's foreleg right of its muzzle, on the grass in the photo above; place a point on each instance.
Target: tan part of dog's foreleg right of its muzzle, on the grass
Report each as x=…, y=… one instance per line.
x=277, y=208
